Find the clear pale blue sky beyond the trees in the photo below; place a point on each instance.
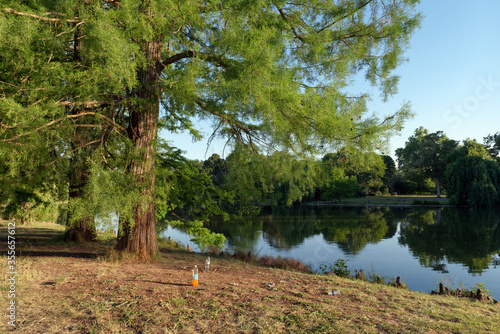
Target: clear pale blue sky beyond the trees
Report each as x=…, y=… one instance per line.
x=452, y=77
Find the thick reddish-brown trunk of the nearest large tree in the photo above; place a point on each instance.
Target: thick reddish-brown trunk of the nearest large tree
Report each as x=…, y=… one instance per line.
x=139, y=237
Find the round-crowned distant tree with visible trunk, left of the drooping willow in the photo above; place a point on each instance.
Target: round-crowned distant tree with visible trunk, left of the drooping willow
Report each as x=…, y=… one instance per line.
x=425, y=153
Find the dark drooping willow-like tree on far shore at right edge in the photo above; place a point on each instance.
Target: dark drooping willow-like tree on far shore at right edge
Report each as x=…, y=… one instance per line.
x=473, y=176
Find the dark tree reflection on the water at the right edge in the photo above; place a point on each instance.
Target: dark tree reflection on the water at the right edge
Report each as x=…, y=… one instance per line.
x=454, y=236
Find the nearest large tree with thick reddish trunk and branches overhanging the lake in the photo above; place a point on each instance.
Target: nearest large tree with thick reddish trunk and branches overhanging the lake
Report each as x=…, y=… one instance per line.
x=271, y=75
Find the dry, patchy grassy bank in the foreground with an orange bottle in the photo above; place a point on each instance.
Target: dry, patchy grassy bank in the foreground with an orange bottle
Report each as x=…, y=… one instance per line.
x=67, y=288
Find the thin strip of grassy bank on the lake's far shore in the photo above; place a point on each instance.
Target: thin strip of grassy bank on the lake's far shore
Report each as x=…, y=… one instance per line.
x=393, y=200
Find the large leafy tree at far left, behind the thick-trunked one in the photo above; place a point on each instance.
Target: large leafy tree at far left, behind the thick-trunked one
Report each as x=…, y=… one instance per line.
x=63, y=76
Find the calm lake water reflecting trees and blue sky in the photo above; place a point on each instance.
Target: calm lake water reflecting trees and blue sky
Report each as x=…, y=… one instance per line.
x=424, y=246
